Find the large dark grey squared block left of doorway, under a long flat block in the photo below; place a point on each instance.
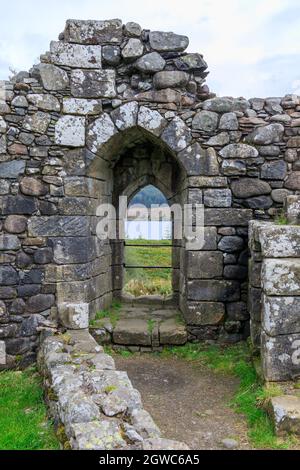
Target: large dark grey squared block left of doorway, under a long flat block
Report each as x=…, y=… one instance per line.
x=72, y=250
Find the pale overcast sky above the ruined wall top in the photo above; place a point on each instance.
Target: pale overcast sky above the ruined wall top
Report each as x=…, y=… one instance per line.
x=252, y=46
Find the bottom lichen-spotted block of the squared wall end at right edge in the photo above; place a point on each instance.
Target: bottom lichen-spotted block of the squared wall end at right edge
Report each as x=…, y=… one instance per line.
x=280, y=357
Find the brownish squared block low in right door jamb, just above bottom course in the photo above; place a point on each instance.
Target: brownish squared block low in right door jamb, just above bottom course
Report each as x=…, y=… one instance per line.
x=204, y=313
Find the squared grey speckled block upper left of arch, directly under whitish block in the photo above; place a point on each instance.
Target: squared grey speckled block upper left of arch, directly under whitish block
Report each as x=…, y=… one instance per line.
x=93, y=83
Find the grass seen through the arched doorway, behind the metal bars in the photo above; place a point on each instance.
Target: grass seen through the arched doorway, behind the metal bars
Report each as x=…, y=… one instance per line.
x=140, y=281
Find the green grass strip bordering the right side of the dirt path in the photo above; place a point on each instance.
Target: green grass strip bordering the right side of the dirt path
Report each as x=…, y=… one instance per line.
x=252, y=395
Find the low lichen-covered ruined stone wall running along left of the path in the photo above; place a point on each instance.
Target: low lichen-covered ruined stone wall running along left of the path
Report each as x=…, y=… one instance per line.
x=94, y=406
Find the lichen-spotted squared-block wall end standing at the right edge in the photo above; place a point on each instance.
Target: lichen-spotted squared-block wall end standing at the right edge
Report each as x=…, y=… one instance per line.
x=274, y=295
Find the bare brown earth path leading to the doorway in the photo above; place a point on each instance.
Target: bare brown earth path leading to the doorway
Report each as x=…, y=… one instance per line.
x=188, y=402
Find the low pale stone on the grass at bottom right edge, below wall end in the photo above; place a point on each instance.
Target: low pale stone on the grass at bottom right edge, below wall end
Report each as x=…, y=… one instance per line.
x=285, y=412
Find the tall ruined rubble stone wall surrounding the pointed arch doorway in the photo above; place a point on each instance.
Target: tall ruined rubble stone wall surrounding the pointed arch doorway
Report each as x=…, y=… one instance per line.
x=102, y=92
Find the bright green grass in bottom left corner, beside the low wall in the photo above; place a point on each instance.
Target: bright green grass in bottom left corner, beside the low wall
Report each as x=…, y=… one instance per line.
x=23, y=419
